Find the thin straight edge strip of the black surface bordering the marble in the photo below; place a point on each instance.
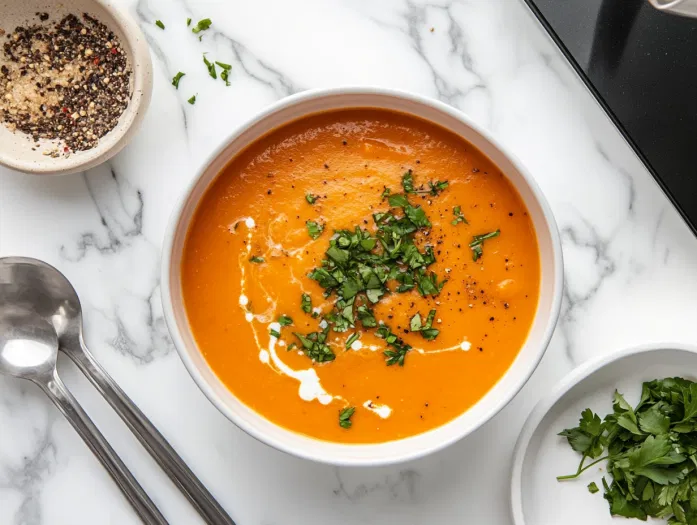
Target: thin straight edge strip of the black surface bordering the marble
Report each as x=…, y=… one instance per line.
x=560, y=44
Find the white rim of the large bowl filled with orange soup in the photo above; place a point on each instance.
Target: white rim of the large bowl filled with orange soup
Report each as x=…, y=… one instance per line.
x=307, y=453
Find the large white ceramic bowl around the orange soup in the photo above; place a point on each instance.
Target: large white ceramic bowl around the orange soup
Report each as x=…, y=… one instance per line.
x=301, y=105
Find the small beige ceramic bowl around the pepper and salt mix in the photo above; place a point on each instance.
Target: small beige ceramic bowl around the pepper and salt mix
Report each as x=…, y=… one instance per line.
x=16, y=148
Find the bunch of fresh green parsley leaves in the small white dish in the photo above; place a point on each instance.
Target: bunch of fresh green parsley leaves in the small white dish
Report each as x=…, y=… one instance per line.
x=651, y=452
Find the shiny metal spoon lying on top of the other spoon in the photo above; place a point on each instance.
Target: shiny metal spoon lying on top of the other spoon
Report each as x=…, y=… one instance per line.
x=28, y=350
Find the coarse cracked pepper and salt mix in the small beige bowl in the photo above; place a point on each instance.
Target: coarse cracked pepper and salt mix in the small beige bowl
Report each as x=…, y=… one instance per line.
x=67, y=81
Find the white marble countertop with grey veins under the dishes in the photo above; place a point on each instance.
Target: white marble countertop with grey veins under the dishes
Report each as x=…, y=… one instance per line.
x=631, y=263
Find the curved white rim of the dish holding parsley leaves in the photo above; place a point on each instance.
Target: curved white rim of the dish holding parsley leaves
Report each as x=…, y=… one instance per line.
x=560, y=389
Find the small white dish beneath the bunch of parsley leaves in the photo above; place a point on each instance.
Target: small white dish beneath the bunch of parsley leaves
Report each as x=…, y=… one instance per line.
x=537, y=498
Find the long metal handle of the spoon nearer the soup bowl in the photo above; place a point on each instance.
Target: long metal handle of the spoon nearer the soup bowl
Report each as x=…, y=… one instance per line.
x=154, y=442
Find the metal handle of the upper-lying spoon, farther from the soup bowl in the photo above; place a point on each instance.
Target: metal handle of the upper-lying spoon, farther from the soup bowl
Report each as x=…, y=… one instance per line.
x=68, y=405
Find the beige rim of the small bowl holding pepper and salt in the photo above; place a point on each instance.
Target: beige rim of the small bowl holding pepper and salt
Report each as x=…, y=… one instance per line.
x=141, y=64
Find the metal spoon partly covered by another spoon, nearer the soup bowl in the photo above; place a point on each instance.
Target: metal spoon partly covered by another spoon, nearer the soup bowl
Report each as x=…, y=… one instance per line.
x=43, y=289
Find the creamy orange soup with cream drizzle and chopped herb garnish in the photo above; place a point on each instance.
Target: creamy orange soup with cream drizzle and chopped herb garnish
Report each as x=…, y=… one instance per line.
x=360, y=276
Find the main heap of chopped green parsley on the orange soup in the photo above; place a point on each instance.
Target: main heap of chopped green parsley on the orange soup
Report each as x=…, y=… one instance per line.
x=360, y=268
